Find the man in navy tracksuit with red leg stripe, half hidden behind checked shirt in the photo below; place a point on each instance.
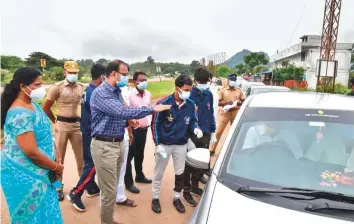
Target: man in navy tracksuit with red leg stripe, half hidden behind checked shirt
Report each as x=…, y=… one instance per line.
x=87, y=179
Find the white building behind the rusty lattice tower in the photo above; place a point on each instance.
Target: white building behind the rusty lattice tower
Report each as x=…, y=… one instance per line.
x=307, y=52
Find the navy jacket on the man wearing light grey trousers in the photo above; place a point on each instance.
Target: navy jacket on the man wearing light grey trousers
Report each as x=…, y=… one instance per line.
x=175, y=126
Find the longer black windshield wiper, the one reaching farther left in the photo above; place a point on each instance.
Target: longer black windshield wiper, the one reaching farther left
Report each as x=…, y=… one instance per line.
x=316, y=194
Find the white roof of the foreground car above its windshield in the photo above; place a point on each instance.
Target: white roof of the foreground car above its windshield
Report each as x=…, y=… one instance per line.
x=302, y=100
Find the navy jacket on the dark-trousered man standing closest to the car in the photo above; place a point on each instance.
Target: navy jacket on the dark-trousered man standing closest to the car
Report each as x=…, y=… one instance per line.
x=204, y=105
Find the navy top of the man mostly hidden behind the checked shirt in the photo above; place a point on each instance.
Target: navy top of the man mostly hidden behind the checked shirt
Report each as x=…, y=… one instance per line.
x=86, y=111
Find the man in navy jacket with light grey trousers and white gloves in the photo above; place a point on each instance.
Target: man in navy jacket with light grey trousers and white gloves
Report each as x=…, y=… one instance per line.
x=171, y=131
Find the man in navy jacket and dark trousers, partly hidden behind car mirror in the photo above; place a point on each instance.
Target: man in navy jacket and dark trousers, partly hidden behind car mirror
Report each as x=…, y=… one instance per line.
x=203, y=100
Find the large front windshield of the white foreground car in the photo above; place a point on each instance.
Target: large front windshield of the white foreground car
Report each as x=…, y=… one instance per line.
x=297, y=148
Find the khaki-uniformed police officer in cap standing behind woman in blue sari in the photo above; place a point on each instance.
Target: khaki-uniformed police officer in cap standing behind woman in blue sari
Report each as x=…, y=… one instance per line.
x=67, y=95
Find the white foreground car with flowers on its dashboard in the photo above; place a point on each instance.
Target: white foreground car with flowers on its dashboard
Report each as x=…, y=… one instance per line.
x=288, y=158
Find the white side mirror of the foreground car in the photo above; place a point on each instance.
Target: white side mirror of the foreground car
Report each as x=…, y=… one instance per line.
x=198, y=158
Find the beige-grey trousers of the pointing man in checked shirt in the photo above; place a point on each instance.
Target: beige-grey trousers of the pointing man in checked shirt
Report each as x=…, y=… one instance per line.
x=108, y=158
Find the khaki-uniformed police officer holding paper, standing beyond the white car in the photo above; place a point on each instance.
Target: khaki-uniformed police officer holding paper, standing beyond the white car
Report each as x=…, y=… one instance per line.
x=227, y=96
